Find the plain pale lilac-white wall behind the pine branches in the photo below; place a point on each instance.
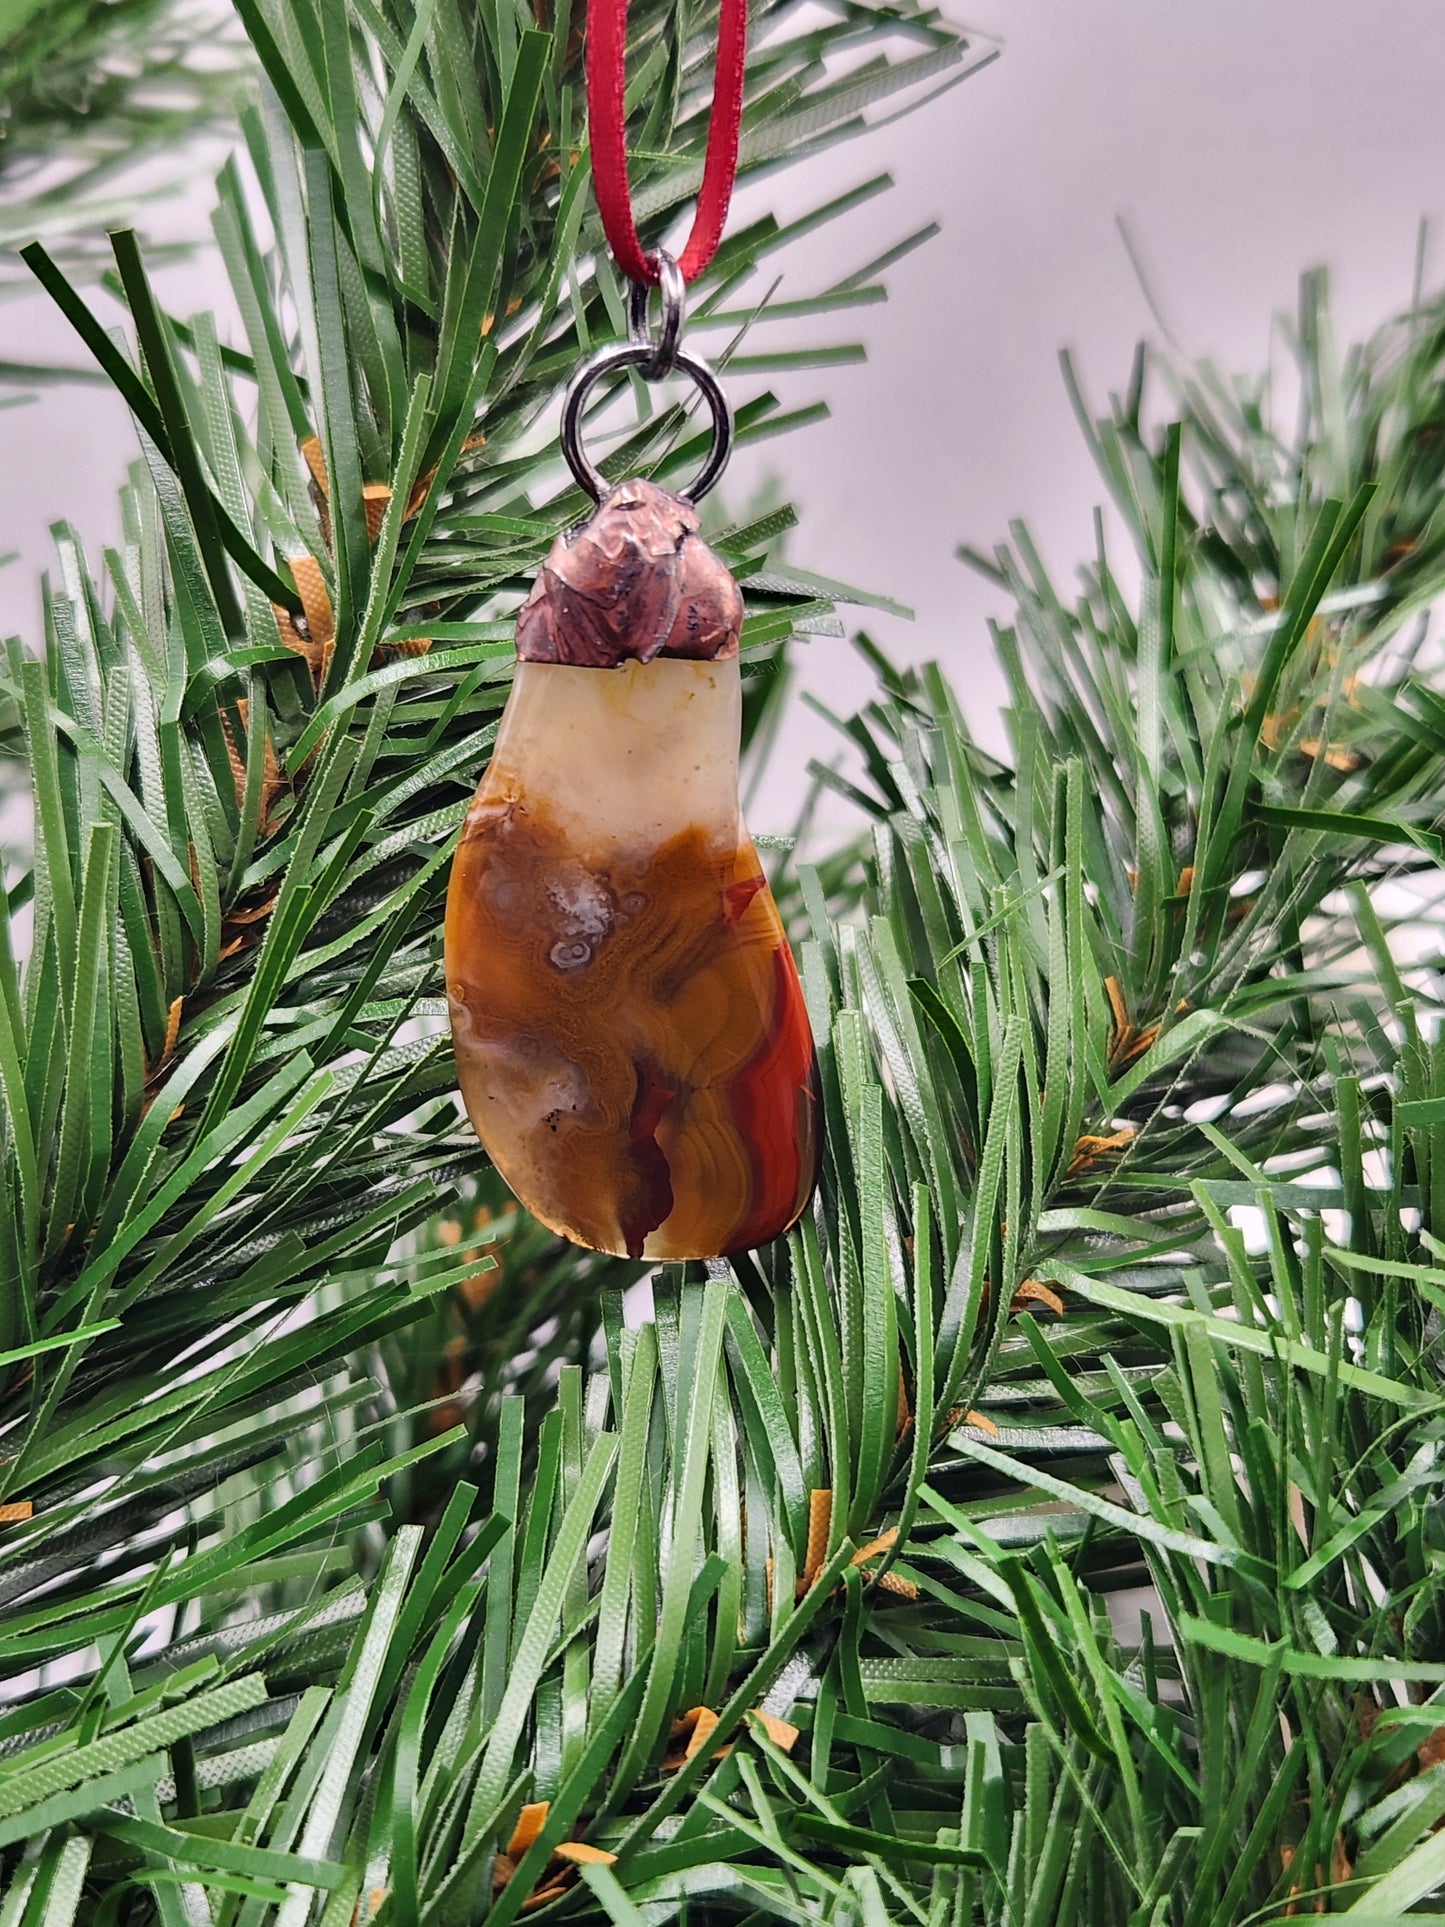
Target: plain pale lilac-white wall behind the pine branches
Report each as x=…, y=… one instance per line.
x=1242, y=142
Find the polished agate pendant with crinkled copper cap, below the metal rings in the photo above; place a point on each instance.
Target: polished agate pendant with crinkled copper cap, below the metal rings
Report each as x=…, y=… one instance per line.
x=629, y=1026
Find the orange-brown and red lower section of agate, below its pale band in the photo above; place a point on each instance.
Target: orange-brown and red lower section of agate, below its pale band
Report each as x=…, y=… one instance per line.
x=631, y=1040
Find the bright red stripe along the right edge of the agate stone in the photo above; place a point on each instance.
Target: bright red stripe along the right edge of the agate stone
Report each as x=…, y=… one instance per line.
x=766, y=1105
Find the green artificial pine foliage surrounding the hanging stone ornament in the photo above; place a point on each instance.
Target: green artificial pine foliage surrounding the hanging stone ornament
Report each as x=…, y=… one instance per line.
x=793, y=1600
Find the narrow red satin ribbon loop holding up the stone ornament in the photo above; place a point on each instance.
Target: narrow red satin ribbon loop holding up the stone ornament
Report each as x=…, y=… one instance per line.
x=608, y=22
